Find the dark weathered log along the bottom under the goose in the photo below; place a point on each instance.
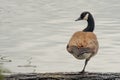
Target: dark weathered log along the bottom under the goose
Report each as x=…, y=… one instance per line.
x=64, y=76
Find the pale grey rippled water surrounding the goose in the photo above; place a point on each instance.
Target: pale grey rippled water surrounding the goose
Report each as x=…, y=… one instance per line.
x=34, y=34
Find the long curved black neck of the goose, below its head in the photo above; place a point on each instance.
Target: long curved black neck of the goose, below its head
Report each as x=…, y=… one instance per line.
x=91, y=24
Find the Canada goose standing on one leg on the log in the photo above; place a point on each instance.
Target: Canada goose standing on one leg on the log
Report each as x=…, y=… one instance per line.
x=83, y=44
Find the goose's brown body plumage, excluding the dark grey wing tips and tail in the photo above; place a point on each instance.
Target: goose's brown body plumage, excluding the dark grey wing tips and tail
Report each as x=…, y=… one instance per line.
x=81, y=40
